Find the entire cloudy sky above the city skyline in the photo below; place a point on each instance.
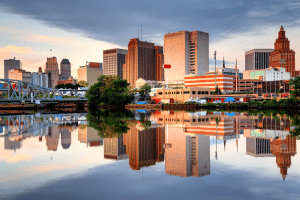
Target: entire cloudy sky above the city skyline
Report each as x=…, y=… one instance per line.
x=81, y=30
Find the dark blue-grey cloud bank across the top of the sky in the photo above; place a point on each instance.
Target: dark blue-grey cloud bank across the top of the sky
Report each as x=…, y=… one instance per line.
x=117, y=21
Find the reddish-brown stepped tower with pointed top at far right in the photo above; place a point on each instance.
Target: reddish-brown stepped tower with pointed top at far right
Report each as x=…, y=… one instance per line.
x=283, y=56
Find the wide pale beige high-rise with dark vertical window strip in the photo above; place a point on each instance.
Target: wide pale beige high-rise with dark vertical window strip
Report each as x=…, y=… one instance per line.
x=187, y=53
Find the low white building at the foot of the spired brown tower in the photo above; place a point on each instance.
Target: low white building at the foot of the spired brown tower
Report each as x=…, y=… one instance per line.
x=270, y=74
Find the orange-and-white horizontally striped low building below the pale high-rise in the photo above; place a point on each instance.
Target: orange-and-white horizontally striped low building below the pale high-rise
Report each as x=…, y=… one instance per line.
x=226, y=83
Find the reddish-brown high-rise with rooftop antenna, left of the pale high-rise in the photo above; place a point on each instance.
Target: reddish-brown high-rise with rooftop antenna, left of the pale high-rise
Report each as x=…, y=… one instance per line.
x=141, y=61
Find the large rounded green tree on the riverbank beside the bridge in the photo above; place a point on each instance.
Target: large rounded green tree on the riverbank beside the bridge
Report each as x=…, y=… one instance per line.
x=109, y=90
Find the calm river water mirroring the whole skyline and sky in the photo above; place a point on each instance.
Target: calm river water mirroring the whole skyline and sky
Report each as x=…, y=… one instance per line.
x=149, y=155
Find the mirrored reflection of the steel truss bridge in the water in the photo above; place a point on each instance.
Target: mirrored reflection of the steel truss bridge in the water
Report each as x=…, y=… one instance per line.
x=13, y=125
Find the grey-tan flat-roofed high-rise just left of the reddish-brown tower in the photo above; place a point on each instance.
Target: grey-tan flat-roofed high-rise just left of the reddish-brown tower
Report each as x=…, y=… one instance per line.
x=113, y=60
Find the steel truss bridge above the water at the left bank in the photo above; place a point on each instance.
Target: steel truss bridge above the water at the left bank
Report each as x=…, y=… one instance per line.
x=18, y=91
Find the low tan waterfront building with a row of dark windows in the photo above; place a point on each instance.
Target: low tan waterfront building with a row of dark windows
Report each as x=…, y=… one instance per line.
x=181, y=95
